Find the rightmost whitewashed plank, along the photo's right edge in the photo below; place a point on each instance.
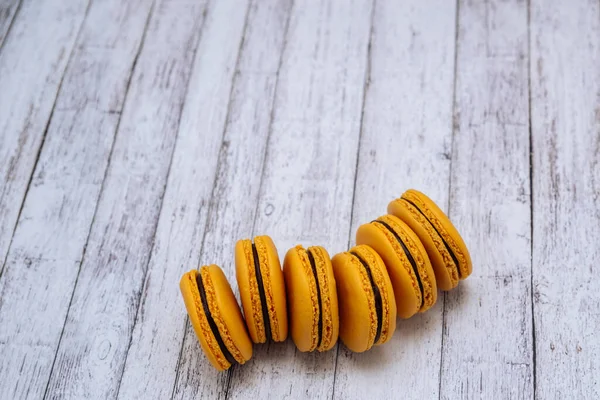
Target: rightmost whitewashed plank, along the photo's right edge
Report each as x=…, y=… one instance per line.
x=565, y=117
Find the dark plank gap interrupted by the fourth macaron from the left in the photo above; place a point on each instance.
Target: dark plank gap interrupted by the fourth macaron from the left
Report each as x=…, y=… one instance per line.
x=366, y=85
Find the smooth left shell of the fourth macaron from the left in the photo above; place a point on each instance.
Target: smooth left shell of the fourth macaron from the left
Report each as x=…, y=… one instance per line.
x=354, y=306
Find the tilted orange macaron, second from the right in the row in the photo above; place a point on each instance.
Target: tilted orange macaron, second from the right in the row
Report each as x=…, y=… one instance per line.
x=406, y=260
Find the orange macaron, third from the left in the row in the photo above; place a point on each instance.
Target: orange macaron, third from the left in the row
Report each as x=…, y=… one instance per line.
x=311, y=298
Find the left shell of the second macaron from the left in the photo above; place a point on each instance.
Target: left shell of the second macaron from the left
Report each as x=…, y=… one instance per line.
x=248, y=286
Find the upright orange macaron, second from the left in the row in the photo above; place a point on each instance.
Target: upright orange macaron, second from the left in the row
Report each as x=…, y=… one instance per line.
x=262, y=289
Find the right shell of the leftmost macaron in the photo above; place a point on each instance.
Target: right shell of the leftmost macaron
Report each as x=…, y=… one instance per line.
x=228, y=316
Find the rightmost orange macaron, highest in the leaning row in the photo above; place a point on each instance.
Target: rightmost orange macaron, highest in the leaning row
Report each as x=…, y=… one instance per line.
x=446, y=249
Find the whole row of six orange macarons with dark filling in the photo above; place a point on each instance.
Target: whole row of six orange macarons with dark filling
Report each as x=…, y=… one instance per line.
x=399, y=262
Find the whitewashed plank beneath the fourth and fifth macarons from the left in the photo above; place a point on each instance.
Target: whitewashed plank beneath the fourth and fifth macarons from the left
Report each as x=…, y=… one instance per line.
x=406, y=142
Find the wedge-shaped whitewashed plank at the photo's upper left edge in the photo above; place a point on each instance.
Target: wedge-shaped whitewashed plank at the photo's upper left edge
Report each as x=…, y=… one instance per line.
x=32, y=63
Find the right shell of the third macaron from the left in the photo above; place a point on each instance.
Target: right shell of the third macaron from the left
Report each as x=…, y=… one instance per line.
x=331, y=325
